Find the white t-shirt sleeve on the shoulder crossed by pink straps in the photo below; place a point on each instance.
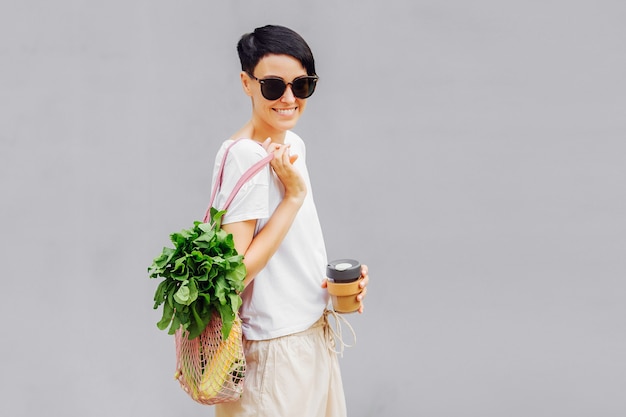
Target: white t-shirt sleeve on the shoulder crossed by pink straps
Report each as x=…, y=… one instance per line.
x=251, y=202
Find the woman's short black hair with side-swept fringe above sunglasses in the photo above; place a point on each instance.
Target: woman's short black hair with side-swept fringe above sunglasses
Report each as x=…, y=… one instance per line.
x=273, y=39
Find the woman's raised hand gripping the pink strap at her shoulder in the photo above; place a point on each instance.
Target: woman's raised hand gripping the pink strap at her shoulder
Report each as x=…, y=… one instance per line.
x=282, y=164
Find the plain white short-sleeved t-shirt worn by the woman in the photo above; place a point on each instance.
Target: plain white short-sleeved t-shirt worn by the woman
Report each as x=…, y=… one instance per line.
x=286, y=296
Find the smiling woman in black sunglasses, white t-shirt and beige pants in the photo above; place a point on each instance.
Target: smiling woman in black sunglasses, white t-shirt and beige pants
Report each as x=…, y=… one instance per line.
x=292, y=365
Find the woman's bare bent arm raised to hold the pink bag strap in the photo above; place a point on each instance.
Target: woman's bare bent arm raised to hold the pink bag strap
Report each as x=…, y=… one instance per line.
x=258, y=250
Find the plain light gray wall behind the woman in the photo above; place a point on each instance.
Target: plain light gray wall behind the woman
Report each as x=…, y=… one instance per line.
x=485, y=189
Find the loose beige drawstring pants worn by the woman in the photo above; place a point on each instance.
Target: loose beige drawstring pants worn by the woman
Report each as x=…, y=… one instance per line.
x=294, y=375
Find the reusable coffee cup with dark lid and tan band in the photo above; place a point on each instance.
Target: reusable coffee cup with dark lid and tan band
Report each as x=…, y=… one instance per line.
x=343, y=284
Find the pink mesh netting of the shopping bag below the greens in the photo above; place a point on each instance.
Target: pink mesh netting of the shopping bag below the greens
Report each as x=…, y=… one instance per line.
x=211, y=370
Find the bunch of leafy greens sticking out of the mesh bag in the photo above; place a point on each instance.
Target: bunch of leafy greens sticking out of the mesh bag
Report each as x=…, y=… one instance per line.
x=202, y=274
